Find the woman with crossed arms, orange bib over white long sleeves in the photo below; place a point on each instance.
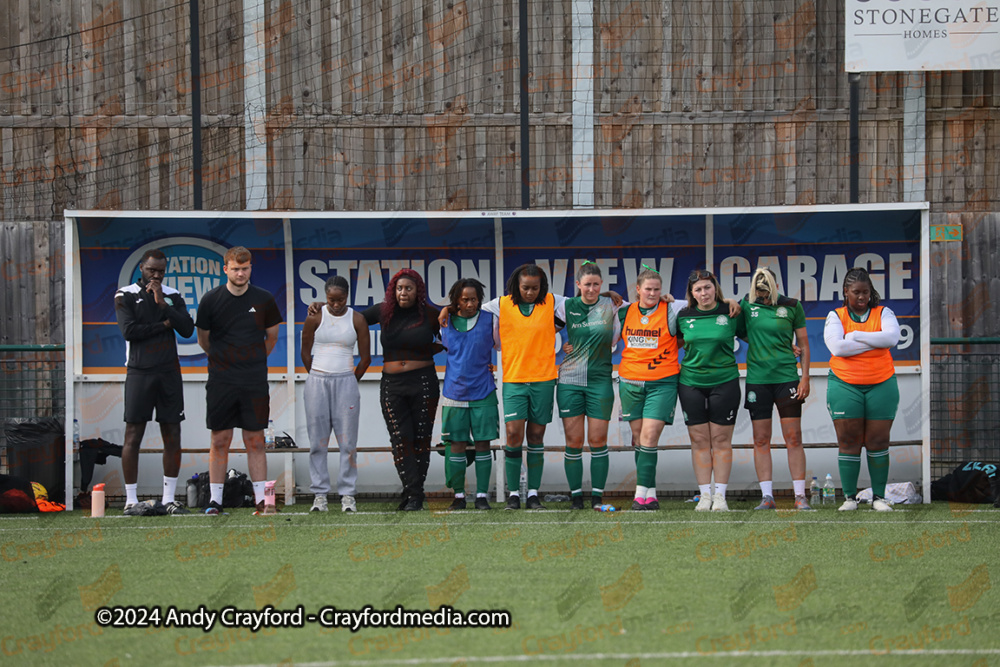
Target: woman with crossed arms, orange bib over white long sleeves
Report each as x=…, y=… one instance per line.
x=862, y=394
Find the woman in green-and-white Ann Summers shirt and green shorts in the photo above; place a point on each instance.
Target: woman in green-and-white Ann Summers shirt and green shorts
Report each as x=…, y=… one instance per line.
x=584, y=391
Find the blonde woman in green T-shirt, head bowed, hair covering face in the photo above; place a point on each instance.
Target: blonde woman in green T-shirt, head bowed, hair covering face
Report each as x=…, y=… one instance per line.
x=773, y=381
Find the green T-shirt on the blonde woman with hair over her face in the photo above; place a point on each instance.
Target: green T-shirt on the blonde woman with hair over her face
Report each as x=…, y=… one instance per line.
x=770, y=331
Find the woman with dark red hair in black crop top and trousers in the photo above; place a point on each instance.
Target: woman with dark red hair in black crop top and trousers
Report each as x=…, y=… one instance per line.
x=409, y=391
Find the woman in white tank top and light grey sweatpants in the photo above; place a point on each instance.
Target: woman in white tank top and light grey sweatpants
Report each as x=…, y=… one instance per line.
x=332, y=398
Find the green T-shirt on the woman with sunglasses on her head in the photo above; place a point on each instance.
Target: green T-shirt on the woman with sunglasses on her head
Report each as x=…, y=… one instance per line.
x=708, y=345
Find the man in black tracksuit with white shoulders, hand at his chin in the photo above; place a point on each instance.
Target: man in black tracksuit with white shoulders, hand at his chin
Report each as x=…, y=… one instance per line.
x=150, y=315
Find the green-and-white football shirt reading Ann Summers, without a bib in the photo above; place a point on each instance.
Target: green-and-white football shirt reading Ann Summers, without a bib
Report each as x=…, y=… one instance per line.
x=590, y=330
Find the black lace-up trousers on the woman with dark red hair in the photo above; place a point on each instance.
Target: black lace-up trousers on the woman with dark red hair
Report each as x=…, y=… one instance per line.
x=409, y=402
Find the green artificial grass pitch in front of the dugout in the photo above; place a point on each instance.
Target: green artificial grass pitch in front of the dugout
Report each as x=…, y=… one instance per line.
x=918, y=586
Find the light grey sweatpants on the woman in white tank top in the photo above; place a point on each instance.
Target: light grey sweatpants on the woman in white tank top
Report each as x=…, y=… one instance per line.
x=332, y=404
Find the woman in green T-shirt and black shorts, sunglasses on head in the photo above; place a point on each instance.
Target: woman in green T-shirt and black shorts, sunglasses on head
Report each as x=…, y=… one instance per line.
x=709, y=387
